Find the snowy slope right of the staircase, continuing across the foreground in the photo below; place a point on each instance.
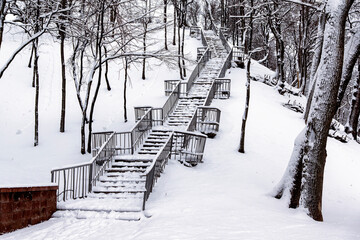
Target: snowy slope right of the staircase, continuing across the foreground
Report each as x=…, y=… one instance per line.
x=227, y=196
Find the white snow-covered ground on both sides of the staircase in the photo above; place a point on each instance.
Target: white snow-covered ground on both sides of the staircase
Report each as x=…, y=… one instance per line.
x=226, y=197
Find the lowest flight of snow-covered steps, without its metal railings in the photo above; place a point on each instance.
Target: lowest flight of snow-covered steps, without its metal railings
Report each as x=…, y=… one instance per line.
x=119, y=192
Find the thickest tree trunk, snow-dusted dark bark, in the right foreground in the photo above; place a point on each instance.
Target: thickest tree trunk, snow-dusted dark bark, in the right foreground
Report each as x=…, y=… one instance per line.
x=309, y=153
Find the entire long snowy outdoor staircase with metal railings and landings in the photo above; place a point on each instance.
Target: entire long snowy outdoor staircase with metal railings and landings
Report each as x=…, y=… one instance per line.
x=125, y=165
